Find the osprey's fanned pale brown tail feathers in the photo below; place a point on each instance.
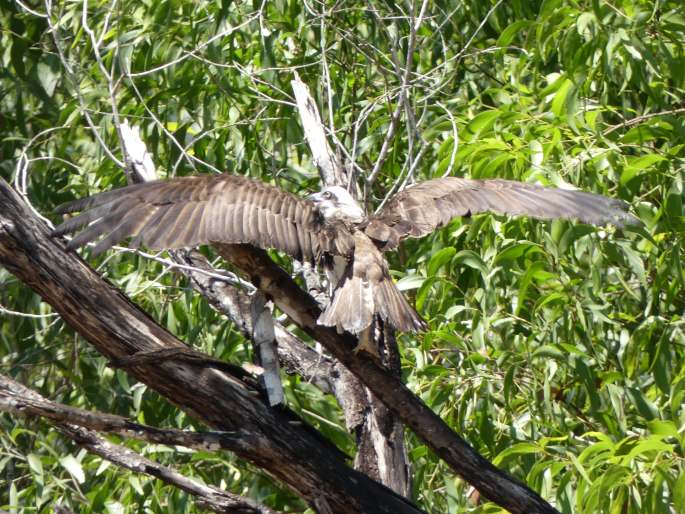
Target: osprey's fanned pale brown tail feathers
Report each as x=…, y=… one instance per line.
x=357, y=300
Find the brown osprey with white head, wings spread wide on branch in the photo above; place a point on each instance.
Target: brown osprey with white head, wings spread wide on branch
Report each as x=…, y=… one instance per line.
x=326, y=227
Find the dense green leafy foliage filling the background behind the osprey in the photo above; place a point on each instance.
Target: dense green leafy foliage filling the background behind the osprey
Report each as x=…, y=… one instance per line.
x=555, y=348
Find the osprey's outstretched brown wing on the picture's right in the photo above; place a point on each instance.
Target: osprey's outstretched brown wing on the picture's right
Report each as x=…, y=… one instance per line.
x=420, y=209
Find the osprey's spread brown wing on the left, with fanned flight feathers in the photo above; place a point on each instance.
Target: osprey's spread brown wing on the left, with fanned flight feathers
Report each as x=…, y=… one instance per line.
x=190, y=211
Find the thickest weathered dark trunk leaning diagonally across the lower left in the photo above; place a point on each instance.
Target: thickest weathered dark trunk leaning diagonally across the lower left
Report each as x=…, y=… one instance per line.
x=281, y=443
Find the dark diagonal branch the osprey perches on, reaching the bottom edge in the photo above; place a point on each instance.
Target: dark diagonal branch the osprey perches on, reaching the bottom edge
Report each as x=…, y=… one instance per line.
x=492, y=482
